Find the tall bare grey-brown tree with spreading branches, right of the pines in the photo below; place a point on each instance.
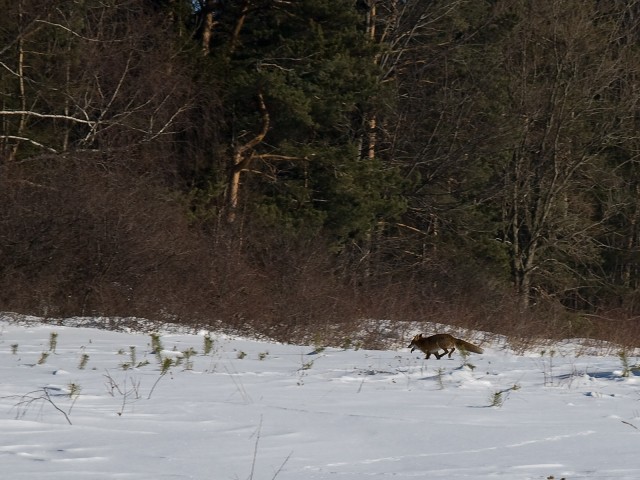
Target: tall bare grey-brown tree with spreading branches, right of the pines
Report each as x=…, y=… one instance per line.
x=562, y=62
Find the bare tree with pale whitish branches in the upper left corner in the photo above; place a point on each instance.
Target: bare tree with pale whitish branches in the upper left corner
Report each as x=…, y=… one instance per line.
x=92, y=77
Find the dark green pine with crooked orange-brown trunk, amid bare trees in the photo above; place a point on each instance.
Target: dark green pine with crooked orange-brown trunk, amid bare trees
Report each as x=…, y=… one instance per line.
x=297, y=77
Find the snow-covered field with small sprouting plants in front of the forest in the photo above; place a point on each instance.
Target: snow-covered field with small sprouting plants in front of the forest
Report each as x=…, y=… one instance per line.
x=259, y=410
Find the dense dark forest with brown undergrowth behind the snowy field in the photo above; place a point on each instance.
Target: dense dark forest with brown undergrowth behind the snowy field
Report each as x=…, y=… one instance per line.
x=295, y=168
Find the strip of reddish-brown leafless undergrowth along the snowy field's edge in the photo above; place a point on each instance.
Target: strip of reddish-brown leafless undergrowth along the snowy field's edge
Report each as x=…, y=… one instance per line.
x=87, y=239
